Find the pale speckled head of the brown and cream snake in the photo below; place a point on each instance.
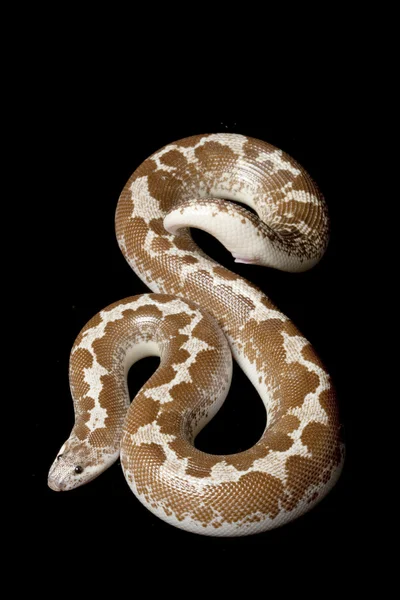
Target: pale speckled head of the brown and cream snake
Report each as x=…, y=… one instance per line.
x=75, y=465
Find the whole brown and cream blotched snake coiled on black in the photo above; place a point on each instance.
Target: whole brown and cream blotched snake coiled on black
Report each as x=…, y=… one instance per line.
x=198, y=314
